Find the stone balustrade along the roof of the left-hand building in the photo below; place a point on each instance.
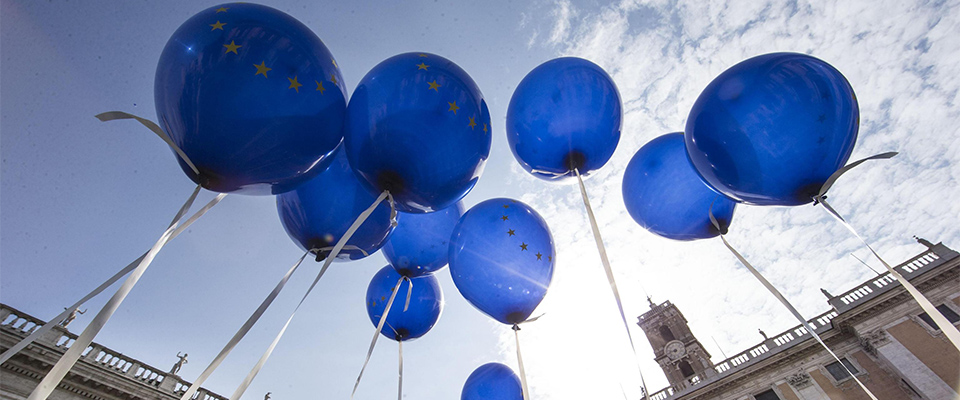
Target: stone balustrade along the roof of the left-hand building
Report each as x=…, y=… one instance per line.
x=20, y=325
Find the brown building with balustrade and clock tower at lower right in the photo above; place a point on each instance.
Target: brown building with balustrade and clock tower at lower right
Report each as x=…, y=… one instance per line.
x=876, y=328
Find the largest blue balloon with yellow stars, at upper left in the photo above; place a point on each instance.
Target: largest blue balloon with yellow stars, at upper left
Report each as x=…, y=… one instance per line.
x=252, y=97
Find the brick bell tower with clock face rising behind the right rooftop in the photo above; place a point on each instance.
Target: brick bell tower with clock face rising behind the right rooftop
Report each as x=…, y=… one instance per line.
x=679, y=353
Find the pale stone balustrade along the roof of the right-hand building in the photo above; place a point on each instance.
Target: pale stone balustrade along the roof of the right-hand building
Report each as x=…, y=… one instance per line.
x=916, y=266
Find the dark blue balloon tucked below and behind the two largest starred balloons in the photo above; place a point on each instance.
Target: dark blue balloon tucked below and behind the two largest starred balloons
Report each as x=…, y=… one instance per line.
x=318, y=213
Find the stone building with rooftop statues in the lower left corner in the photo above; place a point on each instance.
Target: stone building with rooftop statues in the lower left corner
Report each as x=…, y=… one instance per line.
x=100, y=374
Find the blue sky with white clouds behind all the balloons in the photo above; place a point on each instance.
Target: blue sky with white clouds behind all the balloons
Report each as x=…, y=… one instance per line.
x=79, y=199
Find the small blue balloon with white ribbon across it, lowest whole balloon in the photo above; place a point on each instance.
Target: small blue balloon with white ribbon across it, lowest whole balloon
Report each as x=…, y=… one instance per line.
x=426, y=303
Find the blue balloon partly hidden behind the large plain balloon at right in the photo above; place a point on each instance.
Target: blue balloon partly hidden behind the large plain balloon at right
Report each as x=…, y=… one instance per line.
x=664, y=194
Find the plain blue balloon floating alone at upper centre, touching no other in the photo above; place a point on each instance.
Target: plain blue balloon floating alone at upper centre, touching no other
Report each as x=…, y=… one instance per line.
x=564, y=115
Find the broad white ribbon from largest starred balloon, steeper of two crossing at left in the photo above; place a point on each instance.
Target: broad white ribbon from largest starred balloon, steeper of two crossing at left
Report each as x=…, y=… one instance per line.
x=56, y=374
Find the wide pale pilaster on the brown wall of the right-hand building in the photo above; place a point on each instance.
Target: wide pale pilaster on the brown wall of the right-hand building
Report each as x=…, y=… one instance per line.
x=907, y=365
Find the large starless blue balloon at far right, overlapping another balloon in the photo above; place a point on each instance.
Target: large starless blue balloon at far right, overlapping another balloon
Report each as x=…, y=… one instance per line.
x=771, y=130
